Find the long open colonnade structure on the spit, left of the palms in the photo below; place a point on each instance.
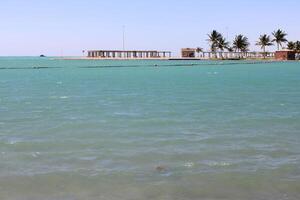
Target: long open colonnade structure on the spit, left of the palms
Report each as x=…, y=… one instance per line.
x=135, y=54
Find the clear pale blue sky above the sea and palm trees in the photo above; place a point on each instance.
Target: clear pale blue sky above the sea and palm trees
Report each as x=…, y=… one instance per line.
x=67, y=27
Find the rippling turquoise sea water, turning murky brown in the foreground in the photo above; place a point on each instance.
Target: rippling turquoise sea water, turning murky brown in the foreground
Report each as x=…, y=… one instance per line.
x=134, y=130
